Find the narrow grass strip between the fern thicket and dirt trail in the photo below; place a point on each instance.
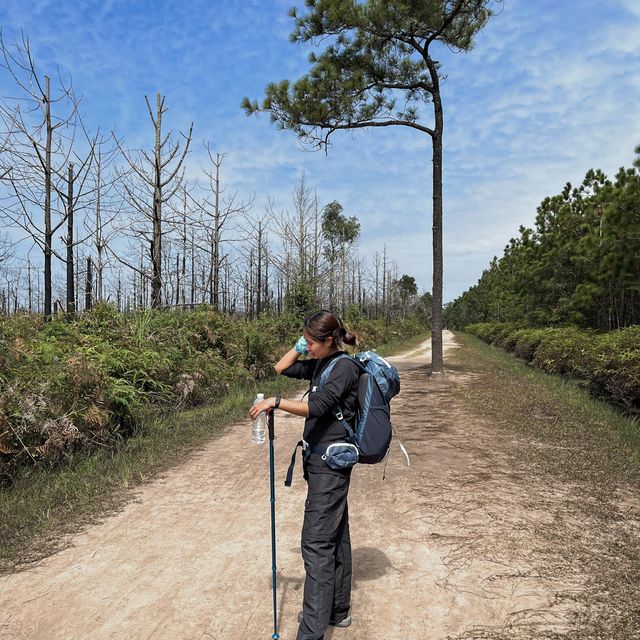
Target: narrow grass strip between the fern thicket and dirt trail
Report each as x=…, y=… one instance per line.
x=43, y=506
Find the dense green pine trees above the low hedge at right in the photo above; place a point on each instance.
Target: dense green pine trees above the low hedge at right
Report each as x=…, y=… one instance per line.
x=579, y=265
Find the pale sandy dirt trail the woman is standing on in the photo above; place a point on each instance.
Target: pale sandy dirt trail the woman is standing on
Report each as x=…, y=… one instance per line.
x=438, y=547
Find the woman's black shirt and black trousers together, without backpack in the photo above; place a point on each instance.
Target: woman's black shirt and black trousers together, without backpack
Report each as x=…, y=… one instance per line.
x=326, y=546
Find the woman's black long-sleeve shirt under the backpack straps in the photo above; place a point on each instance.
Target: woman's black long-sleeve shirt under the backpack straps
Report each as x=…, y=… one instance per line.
x=322, y=428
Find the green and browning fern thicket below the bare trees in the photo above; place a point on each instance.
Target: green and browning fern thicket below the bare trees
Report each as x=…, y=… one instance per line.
x=71, y=385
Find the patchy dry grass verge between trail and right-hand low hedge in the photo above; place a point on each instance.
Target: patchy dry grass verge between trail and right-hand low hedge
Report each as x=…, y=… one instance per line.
x=584, y=446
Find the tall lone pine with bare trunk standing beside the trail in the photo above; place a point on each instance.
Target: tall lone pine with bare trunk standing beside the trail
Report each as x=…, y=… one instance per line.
x=376, y=72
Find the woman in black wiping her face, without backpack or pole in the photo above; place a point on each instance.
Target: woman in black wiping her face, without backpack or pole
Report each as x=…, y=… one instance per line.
x=326, y=547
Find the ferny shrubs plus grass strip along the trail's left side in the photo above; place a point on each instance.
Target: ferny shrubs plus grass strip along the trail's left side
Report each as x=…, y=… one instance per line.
x=92, y=406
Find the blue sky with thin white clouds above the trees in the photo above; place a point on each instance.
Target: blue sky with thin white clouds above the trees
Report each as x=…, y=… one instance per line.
x=550, y=90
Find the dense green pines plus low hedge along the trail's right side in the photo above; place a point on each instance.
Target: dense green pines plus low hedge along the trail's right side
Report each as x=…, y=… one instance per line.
x=564, y=296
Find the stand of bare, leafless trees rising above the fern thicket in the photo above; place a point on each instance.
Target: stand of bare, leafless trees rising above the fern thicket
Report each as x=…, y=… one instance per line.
x=88, y=219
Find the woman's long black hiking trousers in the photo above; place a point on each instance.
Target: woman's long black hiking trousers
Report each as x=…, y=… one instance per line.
x=326, y=551
